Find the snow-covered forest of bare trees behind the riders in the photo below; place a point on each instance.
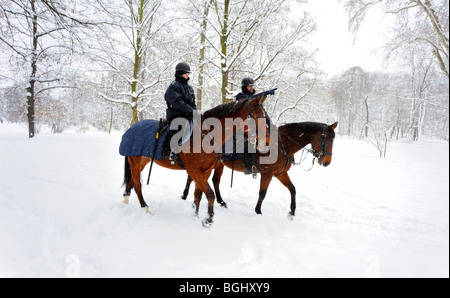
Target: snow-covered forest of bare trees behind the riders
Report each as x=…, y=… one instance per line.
x=107, y=63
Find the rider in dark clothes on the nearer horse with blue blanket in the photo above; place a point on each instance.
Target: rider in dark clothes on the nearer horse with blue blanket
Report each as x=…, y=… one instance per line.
x=180, y=99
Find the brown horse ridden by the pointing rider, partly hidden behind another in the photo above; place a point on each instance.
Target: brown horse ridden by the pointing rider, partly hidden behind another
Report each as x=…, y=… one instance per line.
x=291, y=138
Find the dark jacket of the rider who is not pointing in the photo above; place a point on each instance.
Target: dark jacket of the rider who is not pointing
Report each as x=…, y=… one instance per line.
x=180, y=99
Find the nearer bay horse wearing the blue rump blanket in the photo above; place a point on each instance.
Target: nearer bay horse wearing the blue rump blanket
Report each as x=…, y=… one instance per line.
x=198, y=165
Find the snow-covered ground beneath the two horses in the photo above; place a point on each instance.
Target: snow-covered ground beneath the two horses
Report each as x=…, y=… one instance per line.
x=61, y=214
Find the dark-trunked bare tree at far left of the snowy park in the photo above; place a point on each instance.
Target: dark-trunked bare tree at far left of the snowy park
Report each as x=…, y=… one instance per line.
x=37, y=31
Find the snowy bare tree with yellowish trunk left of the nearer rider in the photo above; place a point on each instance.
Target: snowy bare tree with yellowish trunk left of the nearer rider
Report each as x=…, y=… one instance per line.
x=132, y=52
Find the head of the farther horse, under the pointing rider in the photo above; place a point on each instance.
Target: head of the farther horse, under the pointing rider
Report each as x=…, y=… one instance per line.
x=322, y=144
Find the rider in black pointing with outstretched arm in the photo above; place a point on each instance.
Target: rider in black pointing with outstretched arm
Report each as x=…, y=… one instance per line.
x=251, y=159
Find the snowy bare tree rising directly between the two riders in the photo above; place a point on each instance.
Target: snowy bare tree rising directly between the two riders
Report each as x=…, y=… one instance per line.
x=234, y=35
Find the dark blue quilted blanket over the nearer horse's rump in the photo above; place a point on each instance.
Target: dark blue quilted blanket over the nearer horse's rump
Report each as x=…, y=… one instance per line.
x=140, y=139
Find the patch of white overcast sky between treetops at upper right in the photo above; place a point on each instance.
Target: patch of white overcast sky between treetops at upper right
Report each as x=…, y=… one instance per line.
x=337, y=49
